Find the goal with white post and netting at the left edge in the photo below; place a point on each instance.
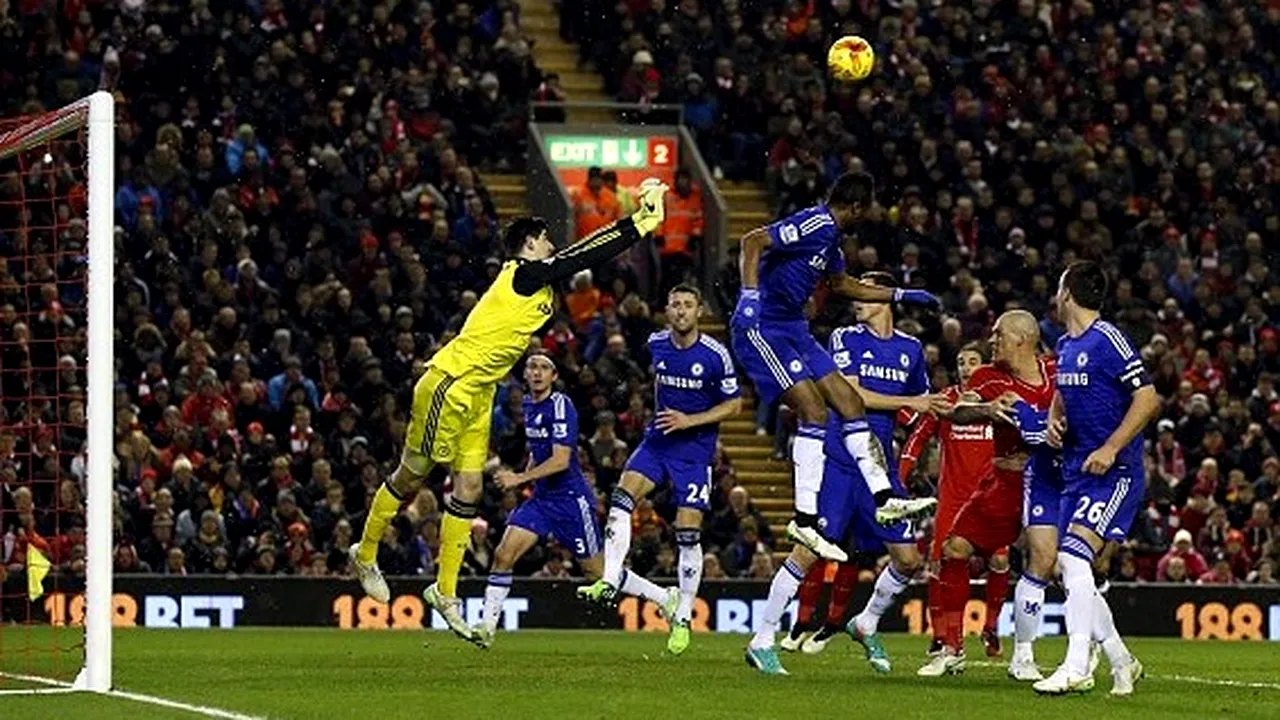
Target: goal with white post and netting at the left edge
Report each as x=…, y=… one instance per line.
x=57, y=371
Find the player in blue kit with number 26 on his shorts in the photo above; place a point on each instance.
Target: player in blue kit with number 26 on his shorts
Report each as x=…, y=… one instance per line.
x=1105, y=403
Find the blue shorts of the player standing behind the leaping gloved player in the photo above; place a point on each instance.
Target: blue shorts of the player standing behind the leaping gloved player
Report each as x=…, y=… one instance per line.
x=847, y=512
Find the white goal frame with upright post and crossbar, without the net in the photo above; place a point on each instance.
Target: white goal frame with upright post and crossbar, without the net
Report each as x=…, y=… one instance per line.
x=95, y=117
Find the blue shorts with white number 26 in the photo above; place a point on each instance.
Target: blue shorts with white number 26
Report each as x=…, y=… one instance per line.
x=1105, y=504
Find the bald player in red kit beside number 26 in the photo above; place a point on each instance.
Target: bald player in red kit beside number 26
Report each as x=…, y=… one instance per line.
x=1016, y=395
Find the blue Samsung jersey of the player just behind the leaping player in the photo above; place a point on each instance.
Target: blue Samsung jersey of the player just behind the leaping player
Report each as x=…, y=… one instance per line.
x=894, y=366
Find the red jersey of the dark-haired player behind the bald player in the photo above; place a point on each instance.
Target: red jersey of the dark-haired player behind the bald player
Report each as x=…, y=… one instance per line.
x=966, y=452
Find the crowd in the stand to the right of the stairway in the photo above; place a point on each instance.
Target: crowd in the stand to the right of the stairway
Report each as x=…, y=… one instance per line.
x=1011, y=140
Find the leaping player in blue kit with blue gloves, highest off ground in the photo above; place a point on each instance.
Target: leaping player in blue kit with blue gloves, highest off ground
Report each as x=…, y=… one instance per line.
x=781, y=266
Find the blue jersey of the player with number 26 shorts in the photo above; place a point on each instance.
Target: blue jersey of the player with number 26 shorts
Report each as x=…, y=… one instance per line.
x=1098, y=375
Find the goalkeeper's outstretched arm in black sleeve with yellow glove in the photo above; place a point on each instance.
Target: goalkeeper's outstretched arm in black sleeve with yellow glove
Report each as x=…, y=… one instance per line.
x=600, y=247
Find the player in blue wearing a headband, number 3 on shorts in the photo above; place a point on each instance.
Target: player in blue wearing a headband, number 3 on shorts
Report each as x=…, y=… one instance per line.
x=563, y=505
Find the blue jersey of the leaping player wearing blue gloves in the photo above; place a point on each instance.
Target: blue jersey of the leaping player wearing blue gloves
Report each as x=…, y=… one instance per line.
x=803, y=248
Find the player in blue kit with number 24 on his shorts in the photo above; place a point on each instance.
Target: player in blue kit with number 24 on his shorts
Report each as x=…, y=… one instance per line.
x=694, y=390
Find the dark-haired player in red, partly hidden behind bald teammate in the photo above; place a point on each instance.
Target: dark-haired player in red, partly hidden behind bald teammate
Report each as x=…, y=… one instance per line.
x=966, y=459
